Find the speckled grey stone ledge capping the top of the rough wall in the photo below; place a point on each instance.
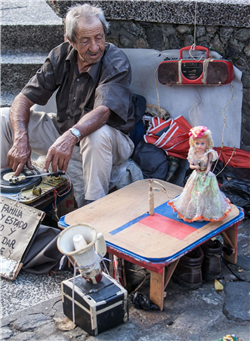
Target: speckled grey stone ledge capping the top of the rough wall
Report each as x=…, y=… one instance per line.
x=209, y=12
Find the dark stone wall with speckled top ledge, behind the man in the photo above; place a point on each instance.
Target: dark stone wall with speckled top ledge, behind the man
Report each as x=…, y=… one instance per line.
x=221, y=25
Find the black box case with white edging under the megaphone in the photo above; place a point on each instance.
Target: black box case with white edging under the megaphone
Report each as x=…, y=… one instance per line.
x=98, y=307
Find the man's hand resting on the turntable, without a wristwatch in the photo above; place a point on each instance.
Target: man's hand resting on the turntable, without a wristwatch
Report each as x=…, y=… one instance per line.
x=19, y=156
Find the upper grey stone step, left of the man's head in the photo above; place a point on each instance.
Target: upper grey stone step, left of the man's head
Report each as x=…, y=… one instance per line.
x=29, y=25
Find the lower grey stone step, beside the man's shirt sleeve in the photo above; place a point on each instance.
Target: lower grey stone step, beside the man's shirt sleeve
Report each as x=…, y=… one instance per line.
x=16, y=69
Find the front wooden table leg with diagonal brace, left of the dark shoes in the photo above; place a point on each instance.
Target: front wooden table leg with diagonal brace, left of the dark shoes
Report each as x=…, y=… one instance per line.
x=158, y=283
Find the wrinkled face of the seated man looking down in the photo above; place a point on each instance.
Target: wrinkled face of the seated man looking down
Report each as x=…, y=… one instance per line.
x=90, y=41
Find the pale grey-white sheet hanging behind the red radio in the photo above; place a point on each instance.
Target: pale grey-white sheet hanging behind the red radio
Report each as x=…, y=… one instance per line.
x=198, y=104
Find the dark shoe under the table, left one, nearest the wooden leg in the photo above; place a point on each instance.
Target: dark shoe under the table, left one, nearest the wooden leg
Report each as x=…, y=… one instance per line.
x=188, y=271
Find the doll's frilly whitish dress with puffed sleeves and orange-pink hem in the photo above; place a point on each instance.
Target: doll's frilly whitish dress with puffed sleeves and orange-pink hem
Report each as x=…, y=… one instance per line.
x=201, y=200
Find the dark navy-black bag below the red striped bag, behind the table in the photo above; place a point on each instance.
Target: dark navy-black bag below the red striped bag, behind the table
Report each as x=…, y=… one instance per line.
x=152, y=160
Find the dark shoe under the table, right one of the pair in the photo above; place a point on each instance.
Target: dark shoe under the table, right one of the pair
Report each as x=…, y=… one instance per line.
x=211, y=267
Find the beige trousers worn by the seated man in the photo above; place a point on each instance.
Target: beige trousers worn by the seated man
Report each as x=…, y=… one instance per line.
x=91, y=164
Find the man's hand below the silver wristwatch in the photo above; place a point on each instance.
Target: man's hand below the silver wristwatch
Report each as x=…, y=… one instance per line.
x=60, y=153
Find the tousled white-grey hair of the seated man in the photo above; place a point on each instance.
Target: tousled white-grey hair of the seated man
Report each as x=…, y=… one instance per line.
x=87, y=12
